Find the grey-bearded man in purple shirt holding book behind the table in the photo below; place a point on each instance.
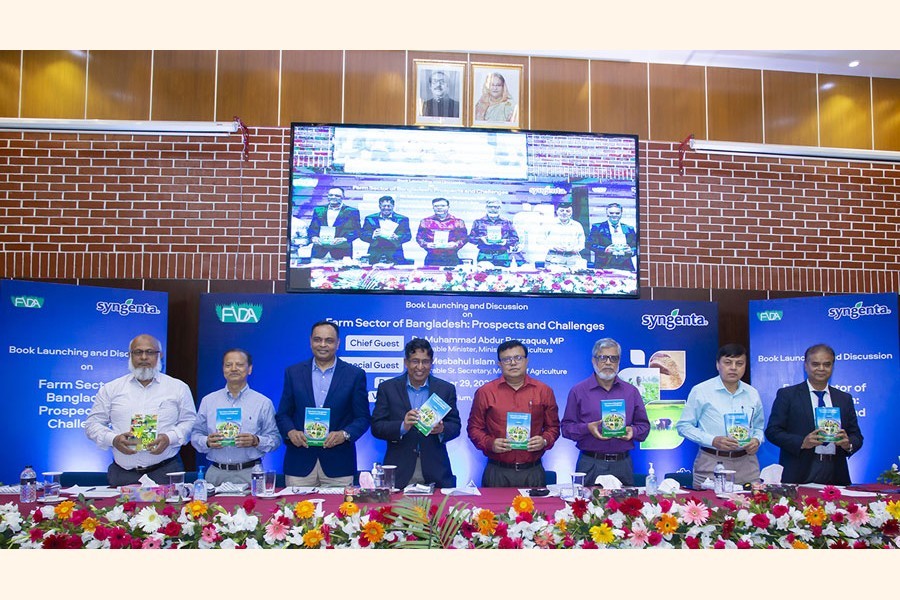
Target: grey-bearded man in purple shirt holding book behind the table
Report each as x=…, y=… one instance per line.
x=605, y=416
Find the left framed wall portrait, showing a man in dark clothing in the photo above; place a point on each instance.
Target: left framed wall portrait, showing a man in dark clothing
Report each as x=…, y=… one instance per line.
x=440, y=92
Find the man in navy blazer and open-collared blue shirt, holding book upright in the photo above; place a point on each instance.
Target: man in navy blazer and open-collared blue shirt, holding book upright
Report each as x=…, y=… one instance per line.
x=323, y=381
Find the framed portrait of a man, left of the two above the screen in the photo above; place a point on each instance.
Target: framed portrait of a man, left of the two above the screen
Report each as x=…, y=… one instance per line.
x=455, y=79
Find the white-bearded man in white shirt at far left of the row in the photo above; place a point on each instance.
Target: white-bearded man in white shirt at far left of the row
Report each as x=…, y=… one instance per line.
x=145, y=401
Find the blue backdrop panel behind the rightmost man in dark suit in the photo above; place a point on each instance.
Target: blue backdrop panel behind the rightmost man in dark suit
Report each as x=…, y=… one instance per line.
x=862, y=329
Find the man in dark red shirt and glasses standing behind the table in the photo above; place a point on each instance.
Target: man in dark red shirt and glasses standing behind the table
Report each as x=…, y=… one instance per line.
x=513, y=398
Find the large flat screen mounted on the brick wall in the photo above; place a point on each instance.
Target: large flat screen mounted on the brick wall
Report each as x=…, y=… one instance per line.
x=468, y=211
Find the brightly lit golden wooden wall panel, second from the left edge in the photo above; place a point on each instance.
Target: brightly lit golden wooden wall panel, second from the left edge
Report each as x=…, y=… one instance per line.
x=53, y=84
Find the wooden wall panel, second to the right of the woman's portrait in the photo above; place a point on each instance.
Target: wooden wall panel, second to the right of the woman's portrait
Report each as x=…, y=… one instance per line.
x=619, y=98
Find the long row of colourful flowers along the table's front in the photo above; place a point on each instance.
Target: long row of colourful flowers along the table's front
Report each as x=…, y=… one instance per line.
x=758, y=521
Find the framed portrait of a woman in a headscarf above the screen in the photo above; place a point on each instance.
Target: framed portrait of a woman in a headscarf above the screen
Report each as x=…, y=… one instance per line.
x=503, y=112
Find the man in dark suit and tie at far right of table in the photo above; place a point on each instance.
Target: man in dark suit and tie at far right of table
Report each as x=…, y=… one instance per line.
x=805, y=455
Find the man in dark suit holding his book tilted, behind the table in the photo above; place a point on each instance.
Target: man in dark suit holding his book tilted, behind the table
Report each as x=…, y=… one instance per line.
x=419, y=458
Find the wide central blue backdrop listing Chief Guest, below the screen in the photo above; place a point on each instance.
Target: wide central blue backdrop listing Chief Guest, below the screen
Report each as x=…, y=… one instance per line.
x=465, y=333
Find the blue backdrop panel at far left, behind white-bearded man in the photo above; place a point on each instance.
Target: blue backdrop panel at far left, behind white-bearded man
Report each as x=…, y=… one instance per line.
x=58, y=344
